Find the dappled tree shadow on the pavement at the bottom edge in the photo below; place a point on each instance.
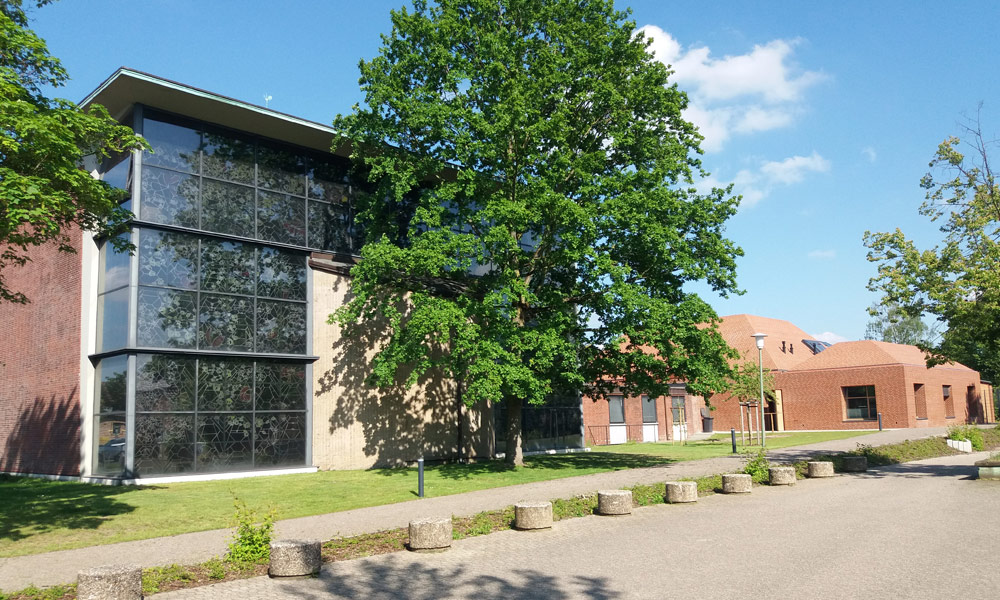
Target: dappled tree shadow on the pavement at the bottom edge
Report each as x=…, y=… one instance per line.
x=391, y=579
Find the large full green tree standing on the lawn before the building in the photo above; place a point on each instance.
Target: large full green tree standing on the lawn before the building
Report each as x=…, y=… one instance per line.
x=535, y=223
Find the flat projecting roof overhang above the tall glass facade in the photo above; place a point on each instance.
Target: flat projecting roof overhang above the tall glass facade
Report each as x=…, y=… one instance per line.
x=127, y=87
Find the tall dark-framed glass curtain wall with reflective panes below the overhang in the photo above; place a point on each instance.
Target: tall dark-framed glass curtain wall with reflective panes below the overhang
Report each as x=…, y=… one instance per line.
x=203, y=332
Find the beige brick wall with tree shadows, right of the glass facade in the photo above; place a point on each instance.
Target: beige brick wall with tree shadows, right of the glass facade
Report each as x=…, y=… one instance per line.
x=356, y=426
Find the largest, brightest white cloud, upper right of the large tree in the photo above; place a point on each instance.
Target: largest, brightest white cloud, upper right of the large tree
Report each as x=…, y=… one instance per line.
x=746, y=93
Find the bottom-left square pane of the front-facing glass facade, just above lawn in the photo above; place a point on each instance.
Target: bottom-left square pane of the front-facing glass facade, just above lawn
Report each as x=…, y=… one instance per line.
x=164, y=443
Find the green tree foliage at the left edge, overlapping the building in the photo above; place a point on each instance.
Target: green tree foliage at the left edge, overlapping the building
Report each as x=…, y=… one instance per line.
x=43, y=145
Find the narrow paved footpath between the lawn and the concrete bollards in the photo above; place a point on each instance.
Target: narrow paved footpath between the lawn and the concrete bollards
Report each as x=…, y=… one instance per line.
x=54, y=568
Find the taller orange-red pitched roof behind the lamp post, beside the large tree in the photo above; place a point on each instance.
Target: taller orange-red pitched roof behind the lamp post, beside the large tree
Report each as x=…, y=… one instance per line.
x=738, y=331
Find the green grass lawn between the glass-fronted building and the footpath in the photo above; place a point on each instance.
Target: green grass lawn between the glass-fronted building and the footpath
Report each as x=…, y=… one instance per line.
x=39, y=516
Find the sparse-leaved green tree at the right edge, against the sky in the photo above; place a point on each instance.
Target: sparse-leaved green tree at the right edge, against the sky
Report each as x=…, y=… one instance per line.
x=958, y=280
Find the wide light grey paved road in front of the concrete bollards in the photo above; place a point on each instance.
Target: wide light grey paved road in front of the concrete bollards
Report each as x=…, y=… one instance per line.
x=926, y=529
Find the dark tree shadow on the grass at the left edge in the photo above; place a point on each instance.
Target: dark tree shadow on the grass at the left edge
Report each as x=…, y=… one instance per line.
x=30, y=506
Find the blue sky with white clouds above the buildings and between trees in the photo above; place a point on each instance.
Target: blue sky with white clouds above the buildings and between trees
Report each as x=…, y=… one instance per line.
x=824, y=115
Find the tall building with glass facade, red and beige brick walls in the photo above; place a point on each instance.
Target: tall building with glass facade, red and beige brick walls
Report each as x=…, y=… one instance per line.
x=207, y=351
